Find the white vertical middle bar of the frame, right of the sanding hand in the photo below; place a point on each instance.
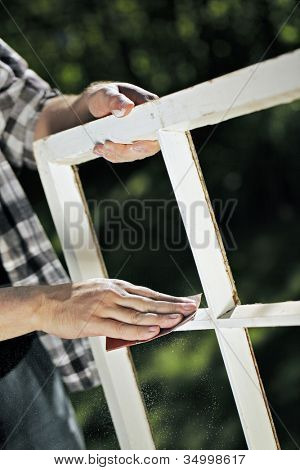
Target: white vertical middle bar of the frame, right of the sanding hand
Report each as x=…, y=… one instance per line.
x=214, y=271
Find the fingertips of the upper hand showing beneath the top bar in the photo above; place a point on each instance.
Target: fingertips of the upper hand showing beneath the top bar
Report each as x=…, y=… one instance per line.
x=119, y=153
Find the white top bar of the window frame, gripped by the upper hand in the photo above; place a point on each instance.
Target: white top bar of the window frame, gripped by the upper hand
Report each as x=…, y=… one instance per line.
x=241, y=92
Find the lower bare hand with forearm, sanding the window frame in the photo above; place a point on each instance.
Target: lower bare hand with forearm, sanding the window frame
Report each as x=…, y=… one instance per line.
x=98, y=307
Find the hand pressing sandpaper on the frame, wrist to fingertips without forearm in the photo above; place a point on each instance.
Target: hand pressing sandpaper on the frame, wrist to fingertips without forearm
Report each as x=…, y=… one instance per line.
x=108, y=307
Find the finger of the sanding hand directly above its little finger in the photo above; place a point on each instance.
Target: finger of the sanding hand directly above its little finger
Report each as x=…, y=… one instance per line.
x=134, y=317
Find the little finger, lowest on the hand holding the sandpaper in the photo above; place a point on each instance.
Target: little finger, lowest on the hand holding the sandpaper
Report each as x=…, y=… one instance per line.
x=120, y=330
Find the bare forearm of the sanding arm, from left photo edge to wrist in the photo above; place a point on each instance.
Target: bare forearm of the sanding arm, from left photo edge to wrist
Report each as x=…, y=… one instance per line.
x=18, y=311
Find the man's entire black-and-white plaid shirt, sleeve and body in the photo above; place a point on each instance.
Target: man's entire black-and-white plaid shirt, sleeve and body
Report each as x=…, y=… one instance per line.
x=25, y=251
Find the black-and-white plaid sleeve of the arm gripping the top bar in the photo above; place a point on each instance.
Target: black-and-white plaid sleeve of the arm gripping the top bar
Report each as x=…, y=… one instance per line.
x=22, y=96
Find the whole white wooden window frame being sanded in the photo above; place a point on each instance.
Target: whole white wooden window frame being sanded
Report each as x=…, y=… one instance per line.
x=169, y=120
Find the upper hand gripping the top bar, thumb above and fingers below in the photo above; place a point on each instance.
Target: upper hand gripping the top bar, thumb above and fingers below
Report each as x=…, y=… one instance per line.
x=98, y=100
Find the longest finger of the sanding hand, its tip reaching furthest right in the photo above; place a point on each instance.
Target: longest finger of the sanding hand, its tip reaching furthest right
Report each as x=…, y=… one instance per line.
x=147, y=305
